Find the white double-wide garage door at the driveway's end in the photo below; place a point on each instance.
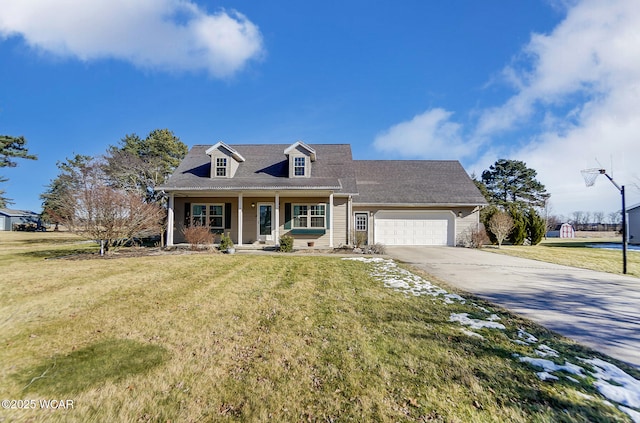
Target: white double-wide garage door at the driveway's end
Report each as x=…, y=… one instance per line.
x=413, y=228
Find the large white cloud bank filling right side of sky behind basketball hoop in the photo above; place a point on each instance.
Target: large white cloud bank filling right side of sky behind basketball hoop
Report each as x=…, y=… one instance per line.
x=577, y=97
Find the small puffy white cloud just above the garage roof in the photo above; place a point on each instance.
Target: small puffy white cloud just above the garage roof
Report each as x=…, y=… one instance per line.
x=430, y=135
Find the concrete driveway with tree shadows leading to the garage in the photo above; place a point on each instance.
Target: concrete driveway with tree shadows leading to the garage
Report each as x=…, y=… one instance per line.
x=599, y=310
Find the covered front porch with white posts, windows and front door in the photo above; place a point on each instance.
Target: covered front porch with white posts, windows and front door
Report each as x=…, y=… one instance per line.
x=260, y=218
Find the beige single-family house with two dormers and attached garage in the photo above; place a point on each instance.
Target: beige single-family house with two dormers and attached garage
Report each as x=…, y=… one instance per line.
x=318, y=193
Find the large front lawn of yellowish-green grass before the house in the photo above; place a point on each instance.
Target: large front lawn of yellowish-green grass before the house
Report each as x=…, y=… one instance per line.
x=212, y=337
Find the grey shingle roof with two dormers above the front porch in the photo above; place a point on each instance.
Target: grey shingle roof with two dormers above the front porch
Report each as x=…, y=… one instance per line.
x=266, y=168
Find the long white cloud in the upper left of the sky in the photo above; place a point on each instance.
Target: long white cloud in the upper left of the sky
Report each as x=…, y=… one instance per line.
x=166, y=34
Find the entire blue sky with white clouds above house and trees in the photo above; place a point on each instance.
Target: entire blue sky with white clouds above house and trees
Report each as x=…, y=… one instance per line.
x=555, y=83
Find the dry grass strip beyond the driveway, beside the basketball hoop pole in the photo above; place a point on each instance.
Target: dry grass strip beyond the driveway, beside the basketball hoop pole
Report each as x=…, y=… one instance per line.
x=577, y=253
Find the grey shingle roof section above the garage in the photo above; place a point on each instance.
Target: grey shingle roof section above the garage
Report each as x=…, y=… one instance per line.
x=437, y=182
